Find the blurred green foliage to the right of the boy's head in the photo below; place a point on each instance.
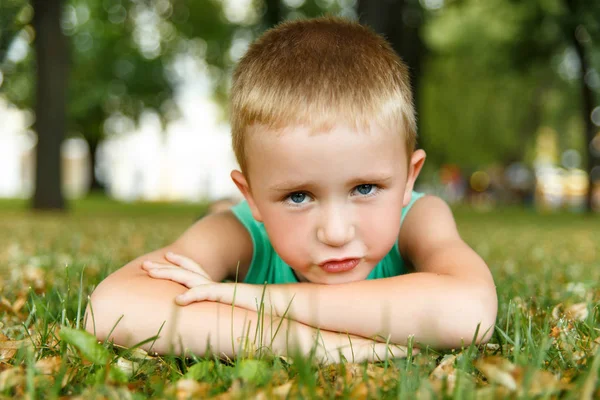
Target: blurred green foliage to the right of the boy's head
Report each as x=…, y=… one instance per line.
x=498, y=71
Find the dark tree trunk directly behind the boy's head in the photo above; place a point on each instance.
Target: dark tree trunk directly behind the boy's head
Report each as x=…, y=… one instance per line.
x=399, y=21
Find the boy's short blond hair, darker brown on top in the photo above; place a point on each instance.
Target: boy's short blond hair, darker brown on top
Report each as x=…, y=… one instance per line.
x=316, y=73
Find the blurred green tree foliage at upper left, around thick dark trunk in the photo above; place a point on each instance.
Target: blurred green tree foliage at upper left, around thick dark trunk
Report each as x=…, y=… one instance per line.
x=123, y=54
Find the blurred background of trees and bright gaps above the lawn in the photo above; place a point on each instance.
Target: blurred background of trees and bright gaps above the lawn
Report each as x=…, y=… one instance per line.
x=128, y=98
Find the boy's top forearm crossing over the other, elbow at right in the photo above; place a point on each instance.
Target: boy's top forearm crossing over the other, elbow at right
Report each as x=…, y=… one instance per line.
x=438, y=310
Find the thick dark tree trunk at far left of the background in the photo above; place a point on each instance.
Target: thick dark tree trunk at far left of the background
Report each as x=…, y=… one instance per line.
x=50, y=108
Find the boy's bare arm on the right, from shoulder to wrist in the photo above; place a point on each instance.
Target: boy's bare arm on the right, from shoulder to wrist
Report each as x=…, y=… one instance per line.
x=441, y=304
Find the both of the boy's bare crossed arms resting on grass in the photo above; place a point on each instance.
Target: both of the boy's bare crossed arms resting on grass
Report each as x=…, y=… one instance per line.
x=442, y=304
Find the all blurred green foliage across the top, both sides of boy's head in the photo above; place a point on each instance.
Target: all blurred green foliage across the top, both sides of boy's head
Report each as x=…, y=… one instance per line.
x=494, y=72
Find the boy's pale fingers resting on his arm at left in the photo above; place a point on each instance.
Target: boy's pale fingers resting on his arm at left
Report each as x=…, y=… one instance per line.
x=180, y=269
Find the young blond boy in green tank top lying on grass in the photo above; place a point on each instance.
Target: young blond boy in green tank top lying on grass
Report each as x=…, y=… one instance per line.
x=324, y=131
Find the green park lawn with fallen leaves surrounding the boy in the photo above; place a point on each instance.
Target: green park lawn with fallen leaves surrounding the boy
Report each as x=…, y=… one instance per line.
x=546, y=343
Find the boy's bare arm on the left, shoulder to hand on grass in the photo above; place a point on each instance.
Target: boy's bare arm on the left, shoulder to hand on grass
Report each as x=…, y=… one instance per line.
x=129, y=307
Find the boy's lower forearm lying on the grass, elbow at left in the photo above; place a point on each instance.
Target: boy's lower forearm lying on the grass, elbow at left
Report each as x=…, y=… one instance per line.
x=215, y=327
